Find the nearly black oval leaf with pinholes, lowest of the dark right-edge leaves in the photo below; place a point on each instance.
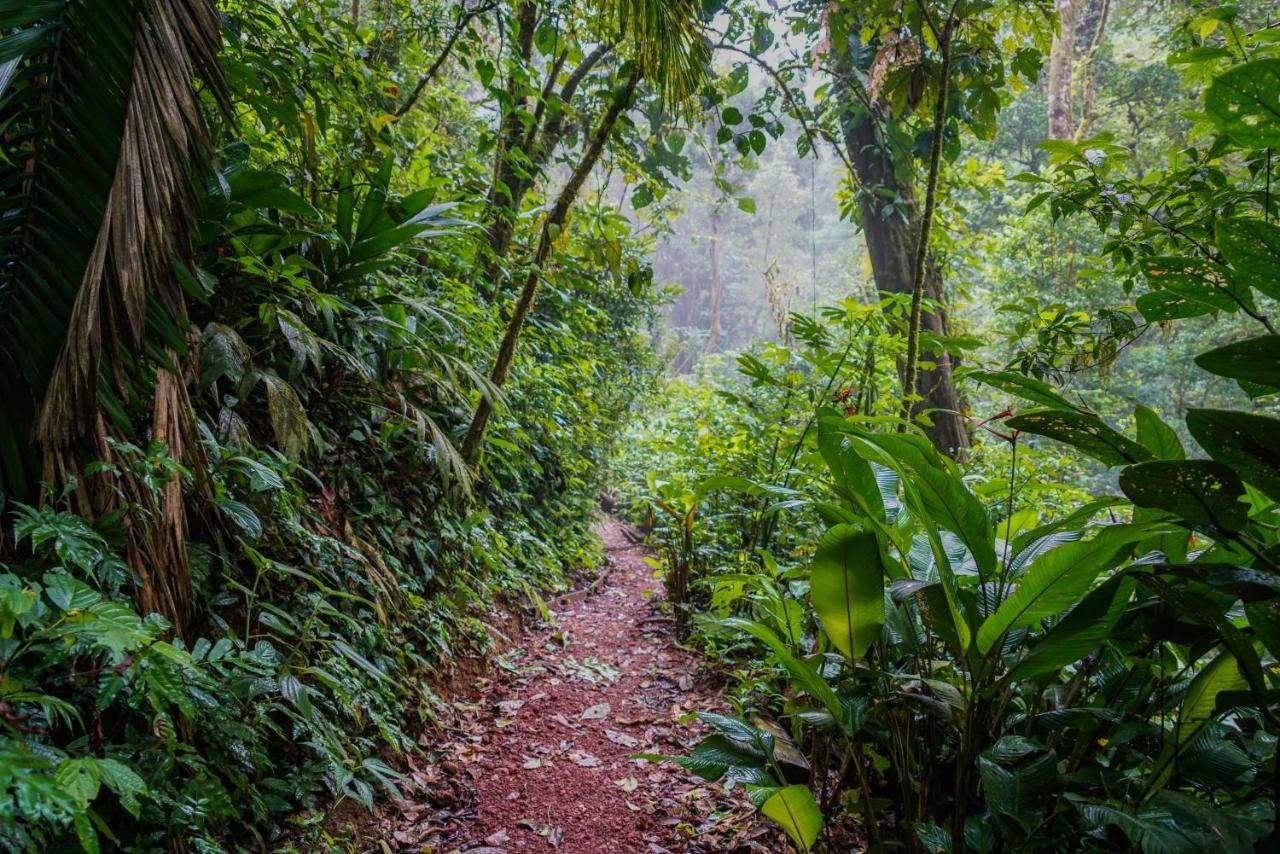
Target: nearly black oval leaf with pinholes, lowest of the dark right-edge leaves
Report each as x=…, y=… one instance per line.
x=1197, y=491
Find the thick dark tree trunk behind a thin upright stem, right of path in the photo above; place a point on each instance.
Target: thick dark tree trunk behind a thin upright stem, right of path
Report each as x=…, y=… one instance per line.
x=892, y=244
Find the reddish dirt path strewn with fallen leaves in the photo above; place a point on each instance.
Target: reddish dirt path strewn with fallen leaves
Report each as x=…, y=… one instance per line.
x=538, y=759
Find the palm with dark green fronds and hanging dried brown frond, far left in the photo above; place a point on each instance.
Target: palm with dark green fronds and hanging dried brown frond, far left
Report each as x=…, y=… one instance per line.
x=103, y=135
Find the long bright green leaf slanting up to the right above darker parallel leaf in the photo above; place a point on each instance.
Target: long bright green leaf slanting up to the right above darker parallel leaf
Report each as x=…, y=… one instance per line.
x=1058, y=581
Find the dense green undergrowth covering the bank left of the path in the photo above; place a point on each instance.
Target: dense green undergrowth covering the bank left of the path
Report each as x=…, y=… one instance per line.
x=341, y=554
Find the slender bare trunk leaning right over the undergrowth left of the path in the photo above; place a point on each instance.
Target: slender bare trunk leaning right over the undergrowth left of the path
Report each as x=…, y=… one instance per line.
x=555, y=222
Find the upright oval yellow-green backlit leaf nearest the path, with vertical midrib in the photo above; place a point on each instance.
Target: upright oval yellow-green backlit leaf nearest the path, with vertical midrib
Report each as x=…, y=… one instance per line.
x=847, y=587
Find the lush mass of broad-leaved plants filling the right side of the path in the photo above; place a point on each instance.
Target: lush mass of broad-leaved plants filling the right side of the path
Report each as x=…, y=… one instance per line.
x=967, y=659
